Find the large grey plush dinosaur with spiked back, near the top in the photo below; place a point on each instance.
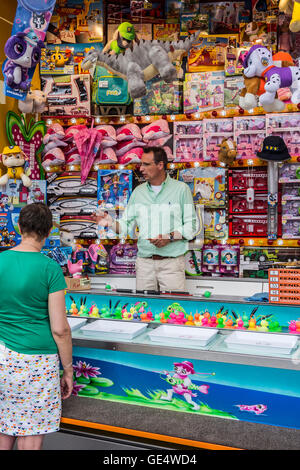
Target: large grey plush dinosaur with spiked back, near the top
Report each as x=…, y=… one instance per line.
x=141, y=62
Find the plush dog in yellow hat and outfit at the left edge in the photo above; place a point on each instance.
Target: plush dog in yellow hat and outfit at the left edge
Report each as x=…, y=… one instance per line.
x=15, y=159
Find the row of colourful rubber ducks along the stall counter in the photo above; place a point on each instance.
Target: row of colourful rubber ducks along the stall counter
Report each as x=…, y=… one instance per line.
x=175, y=314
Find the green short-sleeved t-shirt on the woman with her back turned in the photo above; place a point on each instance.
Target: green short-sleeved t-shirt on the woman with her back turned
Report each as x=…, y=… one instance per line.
x=26, y=280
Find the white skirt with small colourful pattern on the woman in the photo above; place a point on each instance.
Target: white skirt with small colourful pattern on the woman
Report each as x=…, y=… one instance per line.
x=30, y=396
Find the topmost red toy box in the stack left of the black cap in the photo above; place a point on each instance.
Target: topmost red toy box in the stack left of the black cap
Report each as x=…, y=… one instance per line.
x=242, y=179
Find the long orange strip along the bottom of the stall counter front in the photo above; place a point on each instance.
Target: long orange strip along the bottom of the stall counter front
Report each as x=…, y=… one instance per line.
x=147, y=435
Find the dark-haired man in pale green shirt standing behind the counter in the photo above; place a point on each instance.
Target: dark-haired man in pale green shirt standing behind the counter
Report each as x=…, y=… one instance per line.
x=163, y=210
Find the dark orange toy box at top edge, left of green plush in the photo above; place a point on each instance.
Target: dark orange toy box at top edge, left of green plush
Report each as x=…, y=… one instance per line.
x=76, y=21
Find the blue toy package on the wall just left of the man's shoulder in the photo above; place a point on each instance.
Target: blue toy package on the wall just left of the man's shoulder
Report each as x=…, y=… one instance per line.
x=114, y=188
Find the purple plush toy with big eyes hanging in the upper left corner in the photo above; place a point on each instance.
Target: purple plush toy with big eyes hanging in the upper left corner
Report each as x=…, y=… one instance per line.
x=23, y=51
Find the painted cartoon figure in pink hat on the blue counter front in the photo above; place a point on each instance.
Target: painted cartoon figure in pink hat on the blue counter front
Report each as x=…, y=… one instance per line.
x=182, y=384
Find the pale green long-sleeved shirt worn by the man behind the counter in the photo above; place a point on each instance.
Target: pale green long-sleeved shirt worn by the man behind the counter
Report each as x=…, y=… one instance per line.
x=172, y=209
